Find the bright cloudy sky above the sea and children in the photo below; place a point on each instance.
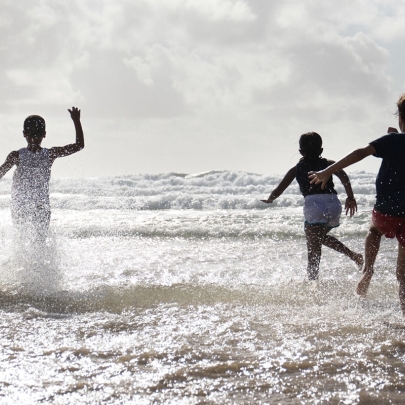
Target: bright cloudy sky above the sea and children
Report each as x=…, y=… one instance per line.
x=189, y=86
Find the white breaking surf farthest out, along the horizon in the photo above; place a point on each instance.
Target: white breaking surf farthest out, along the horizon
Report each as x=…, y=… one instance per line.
x=215, y=189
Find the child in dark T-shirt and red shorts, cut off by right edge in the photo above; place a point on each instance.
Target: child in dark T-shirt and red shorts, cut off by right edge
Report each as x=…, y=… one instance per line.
x=389, y=210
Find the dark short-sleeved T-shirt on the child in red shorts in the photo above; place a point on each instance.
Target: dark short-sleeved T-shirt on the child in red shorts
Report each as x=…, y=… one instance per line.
x=390, y=182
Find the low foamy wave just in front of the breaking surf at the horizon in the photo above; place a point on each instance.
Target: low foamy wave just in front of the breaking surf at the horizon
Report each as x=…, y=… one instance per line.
x=285, y=222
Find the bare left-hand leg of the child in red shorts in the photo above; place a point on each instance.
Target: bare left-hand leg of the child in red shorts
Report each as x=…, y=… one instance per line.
x=372, y=245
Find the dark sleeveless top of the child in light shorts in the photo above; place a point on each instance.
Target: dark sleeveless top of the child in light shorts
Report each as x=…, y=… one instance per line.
x=306, y=187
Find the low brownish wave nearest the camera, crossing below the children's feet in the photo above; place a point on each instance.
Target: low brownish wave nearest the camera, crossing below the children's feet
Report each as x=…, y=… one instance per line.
x=116, y=299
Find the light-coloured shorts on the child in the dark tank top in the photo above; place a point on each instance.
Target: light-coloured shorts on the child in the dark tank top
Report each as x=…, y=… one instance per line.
x=322, y=209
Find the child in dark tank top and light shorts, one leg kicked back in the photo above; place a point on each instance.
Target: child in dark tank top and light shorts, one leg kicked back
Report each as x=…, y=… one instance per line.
x=322, y=208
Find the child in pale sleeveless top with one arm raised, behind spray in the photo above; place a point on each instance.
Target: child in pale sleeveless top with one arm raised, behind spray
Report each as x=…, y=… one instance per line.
x=30, y=208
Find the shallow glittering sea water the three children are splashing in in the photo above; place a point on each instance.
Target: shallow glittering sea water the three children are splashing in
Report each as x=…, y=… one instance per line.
x=193, y=306
